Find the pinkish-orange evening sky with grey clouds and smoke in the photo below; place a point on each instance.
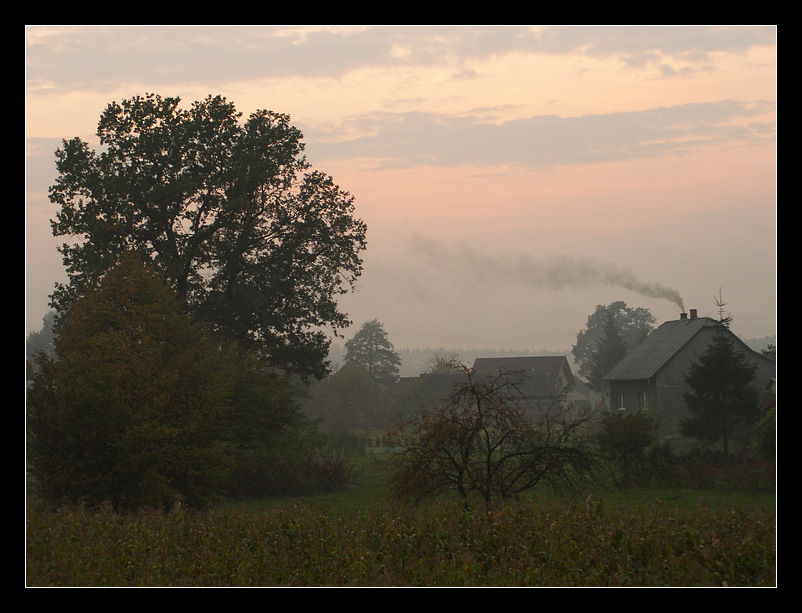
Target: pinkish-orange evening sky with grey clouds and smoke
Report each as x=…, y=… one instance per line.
x=512, y=178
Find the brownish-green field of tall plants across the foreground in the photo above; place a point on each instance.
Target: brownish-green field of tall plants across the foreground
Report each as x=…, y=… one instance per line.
x=716, y=536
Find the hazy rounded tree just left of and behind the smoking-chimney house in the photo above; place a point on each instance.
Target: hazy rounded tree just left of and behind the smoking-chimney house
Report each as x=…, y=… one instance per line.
x=632, y=326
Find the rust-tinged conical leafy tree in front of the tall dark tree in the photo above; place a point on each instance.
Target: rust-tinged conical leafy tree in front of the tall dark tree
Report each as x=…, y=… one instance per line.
x=127, y=410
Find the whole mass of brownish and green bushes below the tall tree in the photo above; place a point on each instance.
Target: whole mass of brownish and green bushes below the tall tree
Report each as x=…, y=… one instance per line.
x=143, y=406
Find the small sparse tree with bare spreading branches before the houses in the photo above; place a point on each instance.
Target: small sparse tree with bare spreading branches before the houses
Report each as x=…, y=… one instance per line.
x=490, y=439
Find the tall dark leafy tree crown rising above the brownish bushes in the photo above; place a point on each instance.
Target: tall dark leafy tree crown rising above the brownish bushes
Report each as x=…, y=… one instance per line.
x=256, y=241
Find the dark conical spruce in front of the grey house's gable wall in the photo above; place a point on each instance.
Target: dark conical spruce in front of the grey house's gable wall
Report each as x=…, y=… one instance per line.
x=721, y=398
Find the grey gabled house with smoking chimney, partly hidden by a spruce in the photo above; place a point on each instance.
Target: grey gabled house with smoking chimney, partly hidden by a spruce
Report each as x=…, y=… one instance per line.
x=651, y=376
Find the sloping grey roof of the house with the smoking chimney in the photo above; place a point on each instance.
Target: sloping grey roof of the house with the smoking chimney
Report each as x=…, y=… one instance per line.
x=653, y=352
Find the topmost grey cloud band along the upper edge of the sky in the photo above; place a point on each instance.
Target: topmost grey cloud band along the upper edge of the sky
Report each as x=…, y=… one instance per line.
x=93, y=56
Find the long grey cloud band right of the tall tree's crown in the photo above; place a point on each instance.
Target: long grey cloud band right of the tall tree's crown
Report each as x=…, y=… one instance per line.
x=419, y=138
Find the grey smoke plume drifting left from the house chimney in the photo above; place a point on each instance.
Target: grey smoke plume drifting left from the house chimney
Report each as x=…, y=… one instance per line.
x=554, y=273
